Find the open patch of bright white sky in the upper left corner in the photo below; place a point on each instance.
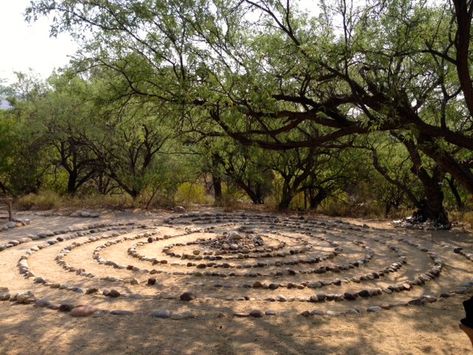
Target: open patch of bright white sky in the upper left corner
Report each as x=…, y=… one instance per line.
x=26, y=46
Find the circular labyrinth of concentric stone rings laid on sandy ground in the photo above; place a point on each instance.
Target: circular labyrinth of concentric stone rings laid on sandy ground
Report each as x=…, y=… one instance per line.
x=237, y=264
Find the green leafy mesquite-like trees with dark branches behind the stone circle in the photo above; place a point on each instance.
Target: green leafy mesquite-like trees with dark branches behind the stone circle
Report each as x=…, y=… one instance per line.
x=366, y=105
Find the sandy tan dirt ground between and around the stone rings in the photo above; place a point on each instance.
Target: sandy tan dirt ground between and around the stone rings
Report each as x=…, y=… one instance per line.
x=217, y=321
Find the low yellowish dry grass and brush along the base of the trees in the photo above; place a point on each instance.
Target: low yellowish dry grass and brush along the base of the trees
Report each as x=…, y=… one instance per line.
x=193, y=196
